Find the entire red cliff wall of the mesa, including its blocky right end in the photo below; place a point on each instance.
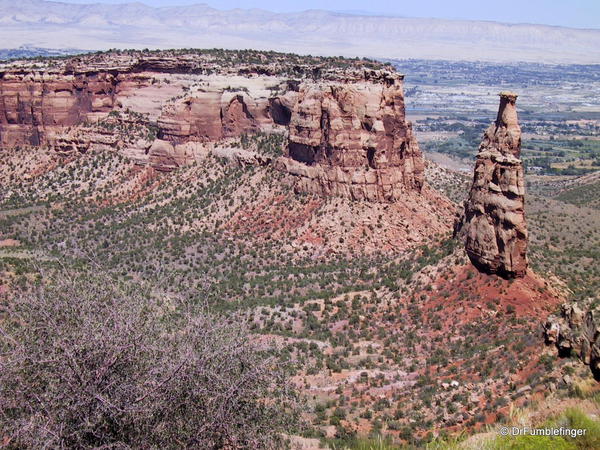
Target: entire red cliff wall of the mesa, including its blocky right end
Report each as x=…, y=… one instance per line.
x=348, y=135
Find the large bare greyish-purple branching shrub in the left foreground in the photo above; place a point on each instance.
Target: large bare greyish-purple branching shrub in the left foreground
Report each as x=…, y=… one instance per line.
x=85, y=363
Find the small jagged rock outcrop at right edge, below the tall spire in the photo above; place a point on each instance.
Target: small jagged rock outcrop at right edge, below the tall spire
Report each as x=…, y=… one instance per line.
x=576, y=332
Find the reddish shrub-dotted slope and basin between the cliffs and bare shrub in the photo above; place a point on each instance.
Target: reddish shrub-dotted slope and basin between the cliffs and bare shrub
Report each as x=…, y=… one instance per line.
x=399, y=339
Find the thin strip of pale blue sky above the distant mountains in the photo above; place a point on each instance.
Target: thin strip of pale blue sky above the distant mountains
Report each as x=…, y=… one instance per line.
x=572, y=13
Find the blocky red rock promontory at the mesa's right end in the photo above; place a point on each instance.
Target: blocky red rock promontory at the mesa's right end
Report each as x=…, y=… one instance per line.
x=353, y=140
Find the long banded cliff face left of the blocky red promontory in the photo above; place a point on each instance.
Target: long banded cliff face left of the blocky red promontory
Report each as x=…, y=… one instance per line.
x=36, y=106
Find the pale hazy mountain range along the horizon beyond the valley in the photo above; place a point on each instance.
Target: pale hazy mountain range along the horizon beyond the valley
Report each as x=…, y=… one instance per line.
x=37, y=23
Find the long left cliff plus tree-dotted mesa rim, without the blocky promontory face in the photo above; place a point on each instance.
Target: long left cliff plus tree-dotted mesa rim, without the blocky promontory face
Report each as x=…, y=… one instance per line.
x=192, y=95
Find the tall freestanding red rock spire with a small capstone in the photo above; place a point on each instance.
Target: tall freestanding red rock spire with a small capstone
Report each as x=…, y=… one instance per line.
x=494, y=224
